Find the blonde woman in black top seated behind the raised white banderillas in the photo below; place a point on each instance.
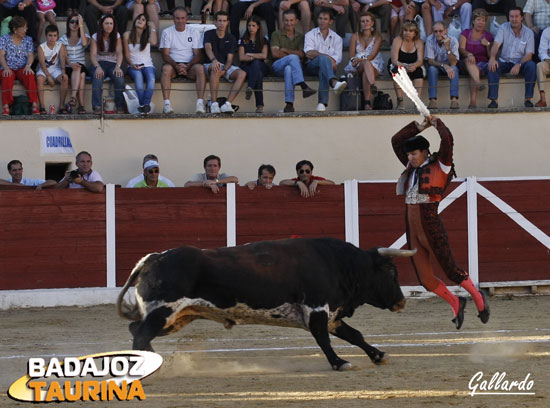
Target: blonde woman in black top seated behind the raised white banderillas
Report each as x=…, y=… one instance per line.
x=407, y=51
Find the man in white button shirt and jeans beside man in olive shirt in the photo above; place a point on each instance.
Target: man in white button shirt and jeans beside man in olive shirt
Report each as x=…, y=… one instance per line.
x=323, y=49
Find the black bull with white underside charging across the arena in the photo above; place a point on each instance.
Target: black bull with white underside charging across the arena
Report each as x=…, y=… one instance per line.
x=305, y=283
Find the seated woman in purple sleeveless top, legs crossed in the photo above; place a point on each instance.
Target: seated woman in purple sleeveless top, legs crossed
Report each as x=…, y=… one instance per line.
x=474, y=49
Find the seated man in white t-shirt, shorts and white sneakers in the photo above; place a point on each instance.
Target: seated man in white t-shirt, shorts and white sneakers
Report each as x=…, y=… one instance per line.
x=182, y=53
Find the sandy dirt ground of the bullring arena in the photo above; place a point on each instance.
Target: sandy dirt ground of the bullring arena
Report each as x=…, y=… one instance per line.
x=430, y=363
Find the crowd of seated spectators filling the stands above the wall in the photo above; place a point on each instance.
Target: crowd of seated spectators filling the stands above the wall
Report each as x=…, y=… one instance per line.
x=424, y=46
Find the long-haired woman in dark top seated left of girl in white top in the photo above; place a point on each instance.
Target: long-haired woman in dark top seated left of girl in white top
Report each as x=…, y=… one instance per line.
x=106, y=57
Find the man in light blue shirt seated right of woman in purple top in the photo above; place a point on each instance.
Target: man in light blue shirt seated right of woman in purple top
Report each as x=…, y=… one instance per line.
x=518, y=46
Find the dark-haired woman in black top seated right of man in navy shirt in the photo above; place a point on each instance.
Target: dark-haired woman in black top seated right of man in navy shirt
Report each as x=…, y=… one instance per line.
x=252, y=54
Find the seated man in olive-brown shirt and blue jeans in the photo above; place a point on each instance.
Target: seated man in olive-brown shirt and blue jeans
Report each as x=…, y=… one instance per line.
x=287, y=49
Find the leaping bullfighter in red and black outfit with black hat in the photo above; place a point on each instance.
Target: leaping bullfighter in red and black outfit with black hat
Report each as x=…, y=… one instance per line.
x=423, y=183
